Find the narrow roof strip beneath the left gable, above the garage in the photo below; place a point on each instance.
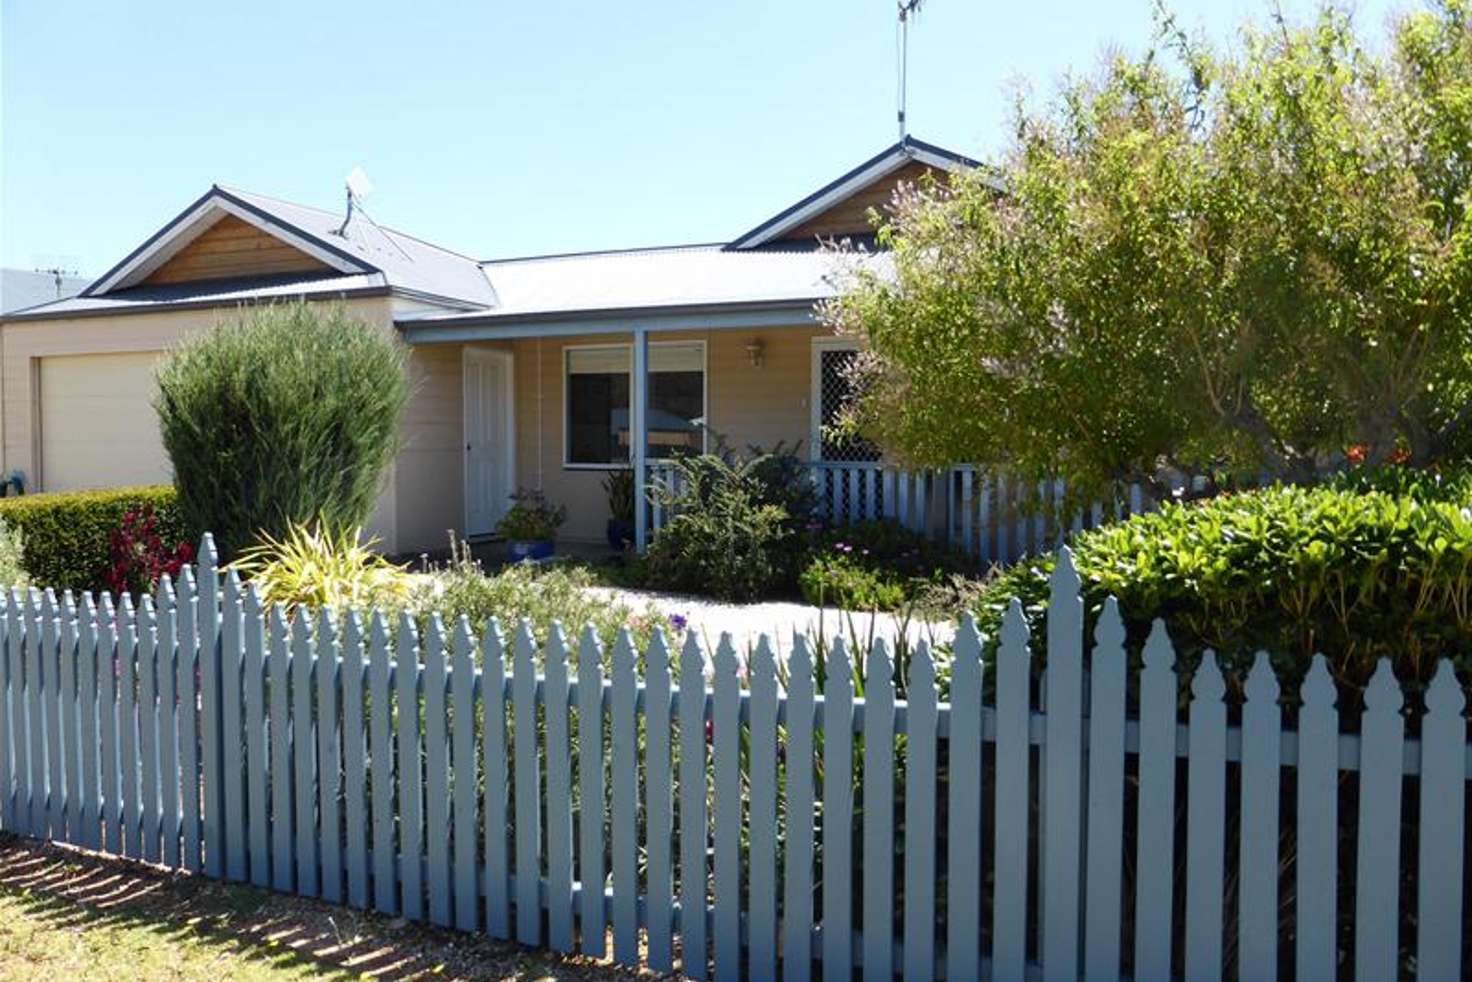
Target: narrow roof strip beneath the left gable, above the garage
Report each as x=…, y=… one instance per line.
x=208, y=294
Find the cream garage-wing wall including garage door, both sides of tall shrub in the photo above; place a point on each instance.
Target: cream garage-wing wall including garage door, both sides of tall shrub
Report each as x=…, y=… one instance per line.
x=46, y=420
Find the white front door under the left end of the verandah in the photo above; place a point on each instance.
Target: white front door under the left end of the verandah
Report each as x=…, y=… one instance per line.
x=489, y=439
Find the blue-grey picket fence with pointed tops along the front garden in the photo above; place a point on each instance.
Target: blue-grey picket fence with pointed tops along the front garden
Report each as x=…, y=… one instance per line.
x=744, y=816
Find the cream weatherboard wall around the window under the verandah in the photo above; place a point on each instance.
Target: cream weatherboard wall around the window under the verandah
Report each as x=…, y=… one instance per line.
x=746, y=406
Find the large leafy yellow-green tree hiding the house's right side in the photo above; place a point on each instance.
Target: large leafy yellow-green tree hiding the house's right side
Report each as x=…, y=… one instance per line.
x=1199, y=261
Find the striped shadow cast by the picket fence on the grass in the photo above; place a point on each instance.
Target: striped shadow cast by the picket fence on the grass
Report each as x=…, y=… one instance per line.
x=70, y=891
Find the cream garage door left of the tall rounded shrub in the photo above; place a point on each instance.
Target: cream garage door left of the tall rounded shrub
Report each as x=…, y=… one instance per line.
x=98, y=422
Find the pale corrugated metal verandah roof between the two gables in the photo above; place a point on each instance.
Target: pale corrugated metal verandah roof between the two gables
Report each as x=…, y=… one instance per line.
x=676, y=278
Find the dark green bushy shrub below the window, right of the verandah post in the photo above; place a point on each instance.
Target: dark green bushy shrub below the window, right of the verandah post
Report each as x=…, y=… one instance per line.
x=732, y=534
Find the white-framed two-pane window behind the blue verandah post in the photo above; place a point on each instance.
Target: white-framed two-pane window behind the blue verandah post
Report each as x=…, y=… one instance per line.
x=598, y=397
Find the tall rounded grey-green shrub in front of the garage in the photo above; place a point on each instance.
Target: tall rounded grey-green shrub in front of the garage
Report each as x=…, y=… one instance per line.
x=288, y=414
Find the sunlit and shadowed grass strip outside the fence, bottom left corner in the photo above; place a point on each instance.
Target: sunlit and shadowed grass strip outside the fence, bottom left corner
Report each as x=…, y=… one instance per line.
x=76, y=916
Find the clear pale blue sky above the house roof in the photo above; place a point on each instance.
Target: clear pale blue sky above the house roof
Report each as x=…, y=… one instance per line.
x=509, y=129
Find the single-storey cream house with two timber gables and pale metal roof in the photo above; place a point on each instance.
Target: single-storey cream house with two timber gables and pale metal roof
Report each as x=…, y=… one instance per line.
x=535, y=372
